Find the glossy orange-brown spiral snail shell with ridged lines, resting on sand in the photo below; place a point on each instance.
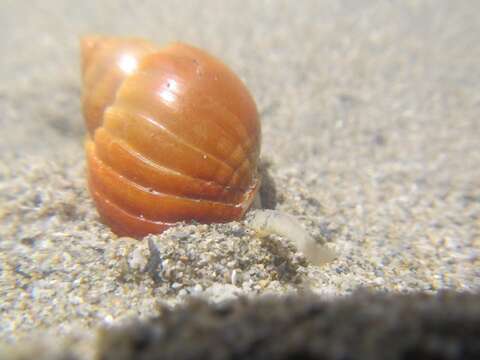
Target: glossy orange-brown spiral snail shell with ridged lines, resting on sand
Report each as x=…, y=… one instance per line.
x=173, y=135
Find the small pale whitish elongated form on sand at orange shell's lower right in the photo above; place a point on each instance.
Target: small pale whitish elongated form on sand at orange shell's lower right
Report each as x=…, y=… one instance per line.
x=266, y=222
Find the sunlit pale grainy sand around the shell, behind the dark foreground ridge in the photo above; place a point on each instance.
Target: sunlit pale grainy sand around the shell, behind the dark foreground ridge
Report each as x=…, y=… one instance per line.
x=371, y=123
